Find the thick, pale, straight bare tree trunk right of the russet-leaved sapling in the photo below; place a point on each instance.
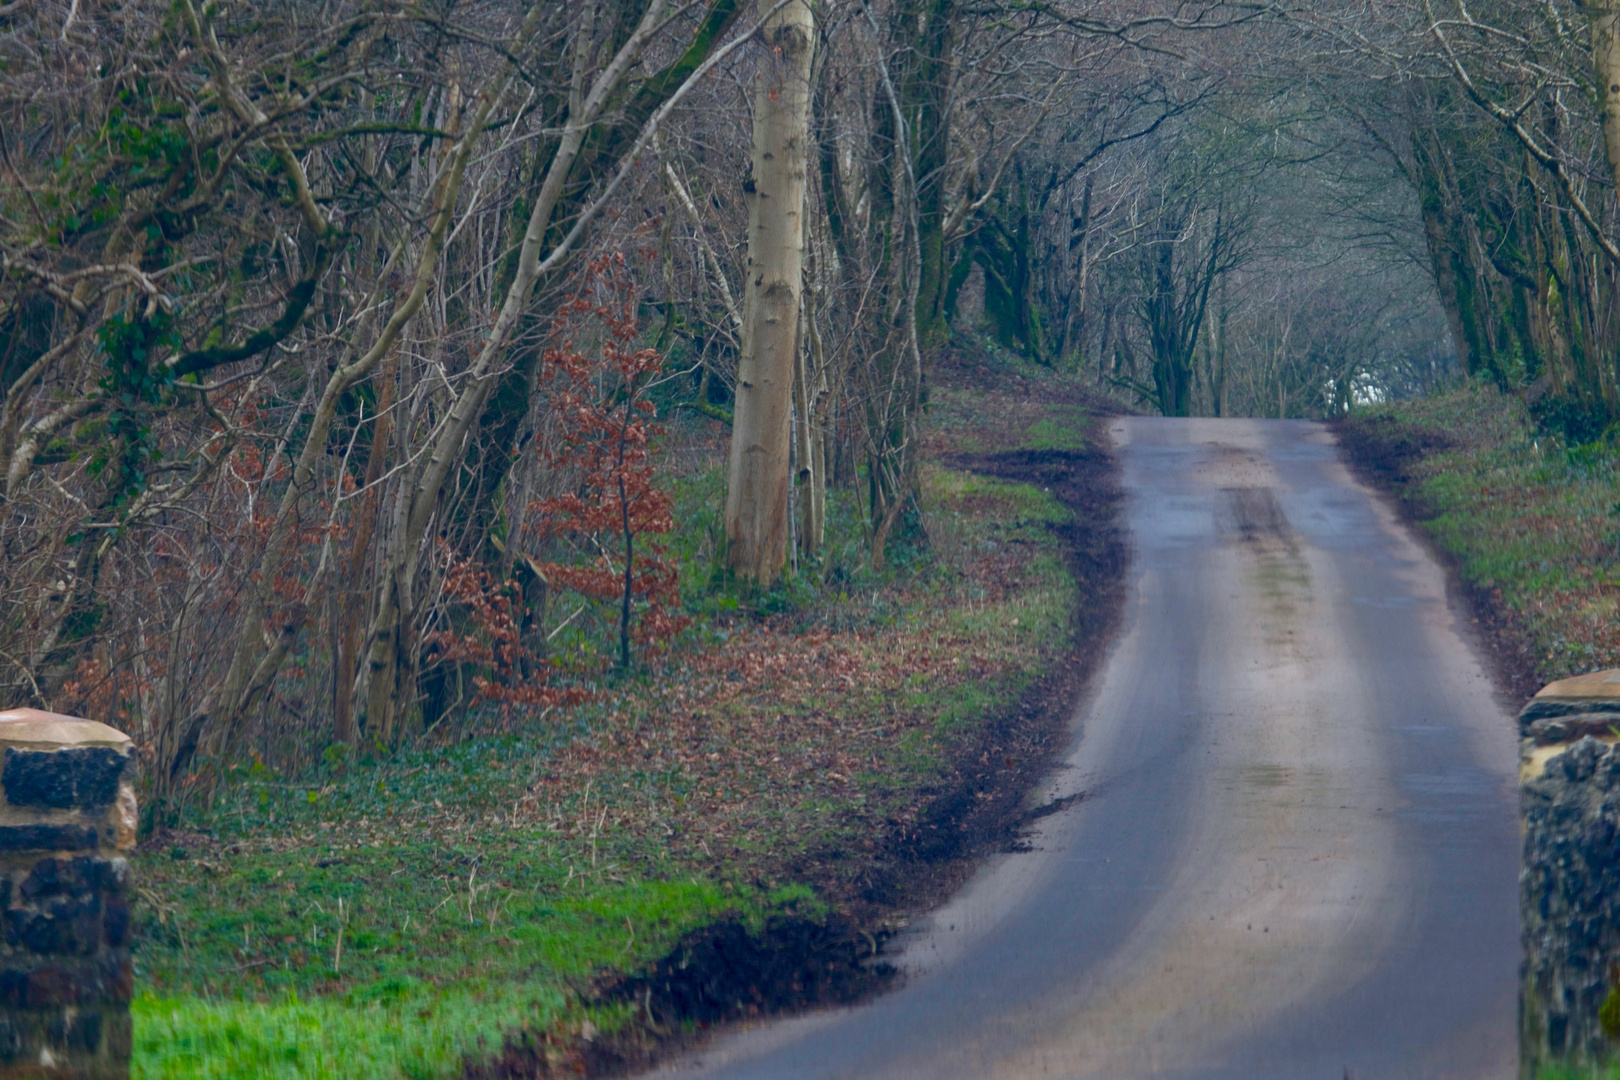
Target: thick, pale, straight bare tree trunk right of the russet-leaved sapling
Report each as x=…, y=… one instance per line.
x=761, y=433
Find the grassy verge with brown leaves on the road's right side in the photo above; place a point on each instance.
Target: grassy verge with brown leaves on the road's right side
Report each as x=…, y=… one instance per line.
x=1528, y=519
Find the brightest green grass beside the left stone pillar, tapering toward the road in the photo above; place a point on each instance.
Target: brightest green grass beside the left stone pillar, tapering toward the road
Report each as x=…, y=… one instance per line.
x=416, y=1026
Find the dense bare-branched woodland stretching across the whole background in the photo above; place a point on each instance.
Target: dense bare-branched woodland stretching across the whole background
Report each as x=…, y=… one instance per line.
x=343, y=342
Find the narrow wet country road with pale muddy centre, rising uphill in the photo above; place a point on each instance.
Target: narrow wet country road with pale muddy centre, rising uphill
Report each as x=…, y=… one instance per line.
x=1295, y=851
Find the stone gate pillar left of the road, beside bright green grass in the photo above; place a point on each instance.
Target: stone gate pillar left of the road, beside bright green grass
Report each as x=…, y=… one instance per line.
x=67, y=825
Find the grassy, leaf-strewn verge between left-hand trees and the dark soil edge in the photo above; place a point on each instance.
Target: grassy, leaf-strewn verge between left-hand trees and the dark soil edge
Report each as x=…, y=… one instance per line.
x=401, y=916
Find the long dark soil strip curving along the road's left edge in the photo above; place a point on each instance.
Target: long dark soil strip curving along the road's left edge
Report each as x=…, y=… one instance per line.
x=725, y=974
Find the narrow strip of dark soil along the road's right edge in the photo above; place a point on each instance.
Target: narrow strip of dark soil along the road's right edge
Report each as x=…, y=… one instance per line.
x=1383, y=456
